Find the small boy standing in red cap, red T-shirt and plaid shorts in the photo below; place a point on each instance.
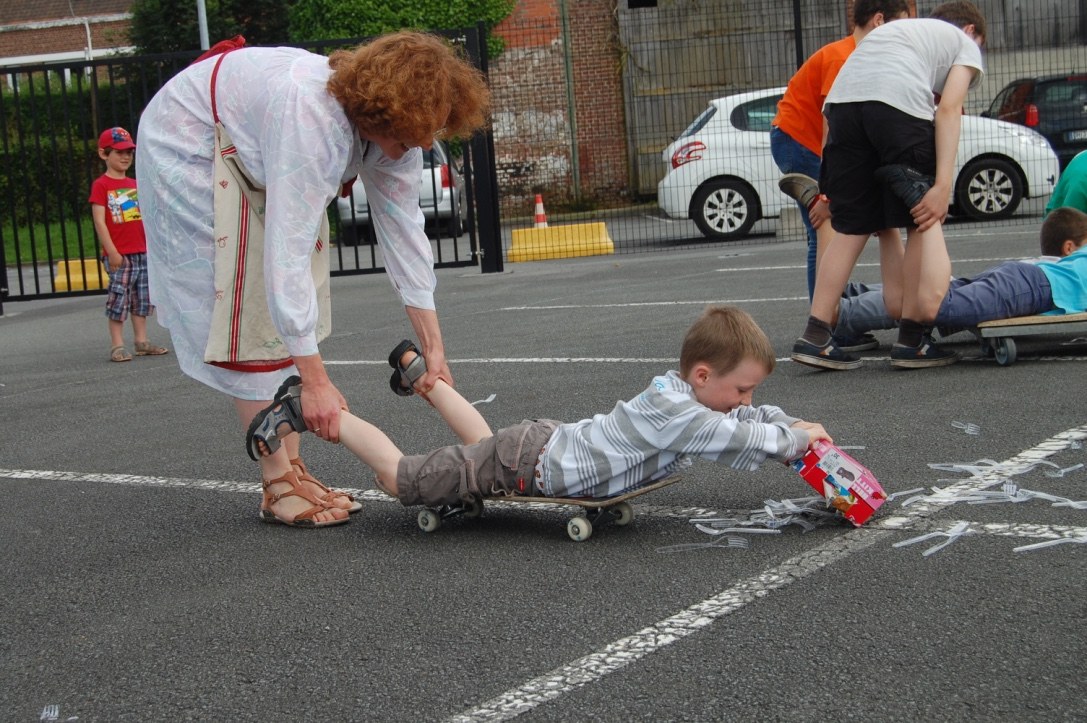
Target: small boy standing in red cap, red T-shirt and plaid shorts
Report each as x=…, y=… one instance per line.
x=115, y=208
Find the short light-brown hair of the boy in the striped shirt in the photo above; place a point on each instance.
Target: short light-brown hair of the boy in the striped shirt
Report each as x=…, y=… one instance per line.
x=723, y=338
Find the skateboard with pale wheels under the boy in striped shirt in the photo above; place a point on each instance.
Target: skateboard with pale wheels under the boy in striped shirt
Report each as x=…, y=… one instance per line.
x=594, y=510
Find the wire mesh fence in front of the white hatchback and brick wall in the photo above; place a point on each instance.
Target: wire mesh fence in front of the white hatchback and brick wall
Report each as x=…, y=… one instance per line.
x=666, y=63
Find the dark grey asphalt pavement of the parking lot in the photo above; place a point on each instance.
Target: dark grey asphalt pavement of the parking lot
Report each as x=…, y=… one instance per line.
x=140, y=585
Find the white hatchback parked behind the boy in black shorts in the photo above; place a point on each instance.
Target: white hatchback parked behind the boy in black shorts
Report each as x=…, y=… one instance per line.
x=722, y=176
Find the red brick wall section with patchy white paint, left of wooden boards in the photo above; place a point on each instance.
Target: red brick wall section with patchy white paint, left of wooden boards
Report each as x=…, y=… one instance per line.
x=534, y=142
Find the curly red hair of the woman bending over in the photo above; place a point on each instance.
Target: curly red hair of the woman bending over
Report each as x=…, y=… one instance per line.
x=408, y=85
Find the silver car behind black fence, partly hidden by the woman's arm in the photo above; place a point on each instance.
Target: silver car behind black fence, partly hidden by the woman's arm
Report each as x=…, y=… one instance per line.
x=441, y=196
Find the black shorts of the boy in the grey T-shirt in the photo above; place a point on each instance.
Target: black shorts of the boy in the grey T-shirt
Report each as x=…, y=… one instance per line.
x=863, y=138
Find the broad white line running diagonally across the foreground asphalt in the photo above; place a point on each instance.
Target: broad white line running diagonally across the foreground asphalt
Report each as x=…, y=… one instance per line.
x=624, y=652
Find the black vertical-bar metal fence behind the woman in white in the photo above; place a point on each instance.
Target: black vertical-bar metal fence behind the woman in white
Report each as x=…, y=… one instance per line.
x=51, y=117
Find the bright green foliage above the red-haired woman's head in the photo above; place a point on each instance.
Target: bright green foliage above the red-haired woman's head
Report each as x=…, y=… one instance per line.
x=327, y=20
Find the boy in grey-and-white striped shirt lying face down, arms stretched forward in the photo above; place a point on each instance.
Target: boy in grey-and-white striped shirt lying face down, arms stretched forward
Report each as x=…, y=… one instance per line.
x=703, y=410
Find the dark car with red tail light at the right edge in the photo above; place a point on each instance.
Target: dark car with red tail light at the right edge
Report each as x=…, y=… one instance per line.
x=1055, y=106
